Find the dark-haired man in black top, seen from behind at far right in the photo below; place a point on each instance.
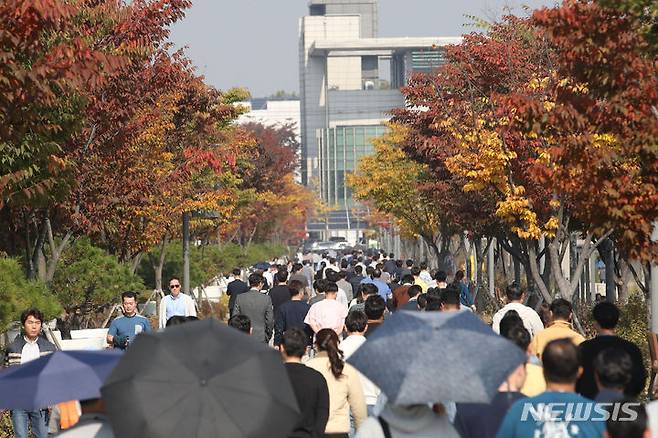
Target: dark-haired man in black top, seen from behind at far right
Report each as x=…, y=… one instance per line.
x=606, y=316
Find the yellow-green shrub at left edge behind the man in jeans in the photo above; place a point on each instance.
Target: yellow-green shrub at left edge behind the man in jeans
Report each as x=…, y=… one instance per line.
x=17, y=294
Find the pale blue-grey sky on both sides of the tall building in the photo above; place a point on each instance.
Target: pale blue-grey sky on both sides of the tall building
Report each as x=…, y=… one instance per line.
x=253, y=43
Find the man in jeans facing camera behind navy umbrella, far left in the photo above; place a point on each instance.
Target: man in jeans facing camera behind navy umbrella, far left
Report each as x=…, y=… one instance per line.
x=27, y=346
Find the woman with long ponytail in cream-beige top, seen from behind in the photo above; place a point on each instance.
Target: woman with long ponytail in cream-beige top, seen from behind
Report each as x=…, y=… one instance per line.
x=345, y=390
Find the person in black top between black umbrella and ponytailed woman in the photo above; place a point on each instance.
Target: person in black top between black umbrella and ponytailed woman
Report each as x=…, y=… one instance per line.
x=309, y=385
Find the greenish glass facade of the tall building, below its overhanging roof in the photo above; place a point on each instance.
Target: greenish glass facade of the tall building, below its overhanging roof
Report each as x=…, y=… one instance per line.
x=339, y=151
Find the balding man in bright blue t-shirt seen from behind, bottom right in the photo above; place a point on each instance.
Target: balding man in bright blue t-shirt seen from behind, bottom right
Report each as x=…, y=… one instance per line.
x=559, y=411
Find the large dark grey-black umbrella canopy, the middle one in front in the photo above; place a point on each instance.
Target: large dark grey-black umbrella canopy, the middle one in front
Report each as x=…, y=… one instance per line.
x=200, y=379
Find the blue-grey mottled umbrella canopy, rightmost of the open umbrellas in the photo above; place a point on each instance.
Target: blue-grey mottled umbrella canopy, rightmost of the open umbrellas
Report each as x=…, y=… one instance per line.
x=427, y=357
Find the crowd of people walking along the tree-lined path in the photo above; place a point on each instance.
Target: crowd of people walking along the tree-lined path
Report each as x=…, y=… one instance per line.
x=319, y=314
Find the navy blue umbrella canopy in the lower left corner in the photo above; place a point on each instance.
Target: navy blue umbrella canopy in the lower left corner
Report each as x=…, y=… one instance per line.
x=58, y=377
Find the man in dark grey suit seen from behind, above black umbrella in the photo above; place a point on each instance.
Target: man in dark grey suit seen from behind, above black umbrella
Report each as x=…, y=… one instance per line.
x=258, y=307
